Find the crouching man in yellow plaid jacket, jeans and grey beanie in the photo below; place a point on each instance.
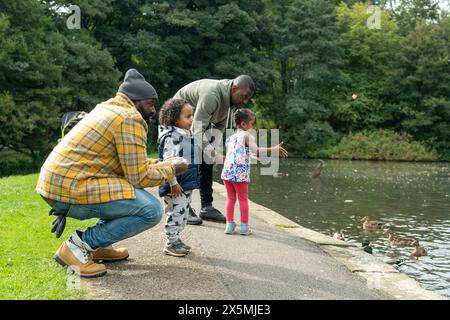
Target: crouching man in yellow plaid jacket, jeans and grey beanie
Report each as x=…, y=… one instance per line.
x=99, y=170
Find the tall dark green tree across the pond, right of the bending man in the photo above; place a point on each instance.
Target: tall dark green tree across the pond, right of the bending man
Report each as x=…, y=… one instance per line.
x=308, y=54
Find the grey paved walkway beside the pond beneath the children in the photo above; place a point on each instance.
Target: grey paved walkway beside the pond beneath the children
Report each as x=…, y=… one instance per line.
x=272, y=263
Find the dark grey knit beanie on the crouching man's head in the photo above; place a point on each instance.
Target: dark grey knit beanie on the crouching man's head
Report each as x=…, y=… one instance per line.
x=135, y=87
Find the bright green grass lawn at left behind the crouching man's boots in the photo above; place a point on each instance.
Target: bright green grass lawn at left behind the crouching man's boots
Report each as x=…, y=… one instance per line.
x=27, y=268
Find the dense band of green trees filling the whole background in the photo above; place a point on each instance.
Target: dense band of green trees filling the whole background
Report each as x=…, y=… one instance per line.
x=323, y=73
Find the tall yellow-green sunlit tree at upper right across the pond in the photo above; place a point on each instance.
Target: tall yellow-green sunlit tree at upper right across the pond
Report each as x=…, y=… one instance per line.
x=369, y=55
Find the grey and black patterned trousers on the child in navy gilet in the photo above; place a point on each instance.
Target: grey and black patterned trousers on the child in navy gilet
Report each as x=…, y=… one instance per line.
x=177, y=211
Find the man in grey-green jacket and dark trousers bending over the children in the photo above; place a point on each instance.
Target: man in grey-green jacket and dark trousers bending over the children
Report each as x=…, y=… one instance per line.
x=213, y=100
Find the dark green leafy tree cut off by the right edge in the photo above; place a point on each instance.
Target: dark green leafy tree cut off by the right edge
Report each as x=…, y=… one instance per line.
x=423, y=100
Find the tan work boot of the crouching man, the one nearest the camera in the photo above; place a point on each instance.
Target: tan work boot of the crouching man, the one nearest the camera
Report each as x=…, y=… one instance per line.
x=76, y=255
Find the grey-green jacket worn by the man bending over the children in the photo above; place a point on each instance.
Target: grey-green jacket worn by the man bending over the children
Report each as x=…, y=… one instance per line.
x=212, y=102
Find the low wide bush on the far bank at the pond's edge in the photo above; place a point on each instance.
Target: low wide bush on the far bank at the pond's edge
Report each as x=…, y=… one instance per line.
x=381, y=145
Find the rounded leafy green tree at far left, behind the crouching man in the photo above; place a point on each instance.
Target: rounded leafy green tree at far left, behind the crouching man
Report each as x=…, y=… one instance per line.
x=45, y=70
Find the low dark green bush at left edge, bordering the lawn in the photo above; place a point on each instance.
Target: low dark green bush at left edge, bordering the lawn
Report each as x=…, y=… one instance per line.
x=13, y=163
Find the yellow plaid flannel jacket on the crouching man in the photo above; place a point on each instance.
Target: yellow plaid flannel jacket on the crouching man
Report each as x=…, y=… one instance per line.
x=103, y=158
